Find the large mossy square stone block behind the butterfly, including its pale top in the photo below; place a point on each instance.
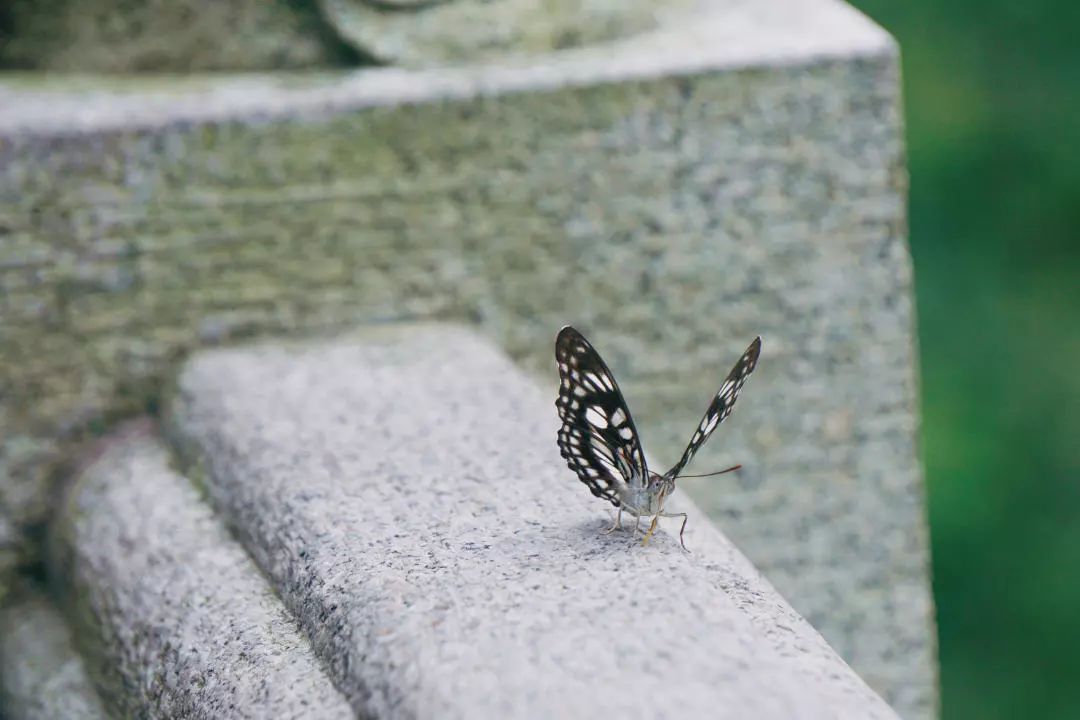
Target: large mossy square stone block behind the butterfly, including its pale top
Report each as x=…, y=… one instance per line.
x=672, y=197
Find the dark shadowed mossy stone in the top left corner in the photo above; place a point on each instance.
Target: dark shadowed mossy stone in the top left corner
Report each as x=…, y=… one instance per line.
x=173, y=36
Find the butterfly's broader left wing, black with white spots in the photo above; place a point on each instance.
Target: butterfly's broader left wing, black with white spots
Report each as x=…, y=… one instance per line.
x=598, y=439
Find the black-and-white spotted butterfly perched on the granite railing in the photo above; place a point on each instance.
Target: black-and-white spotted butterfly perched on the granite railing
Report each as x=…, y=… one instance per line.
x=601, y=444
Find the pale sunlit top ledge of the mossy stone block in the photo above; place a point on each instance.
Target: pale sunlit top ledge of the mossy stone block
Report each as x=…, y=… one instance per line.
x=724, y=36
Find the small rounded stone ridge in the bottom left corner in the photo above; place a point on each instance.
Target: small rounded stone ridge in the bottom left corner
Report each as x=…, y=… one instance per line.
x=42, y=675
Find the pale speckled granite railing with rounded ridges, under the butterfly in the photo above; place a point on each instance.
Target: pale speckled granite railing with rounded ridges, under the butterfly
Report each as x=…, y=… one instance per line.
x=382, y=526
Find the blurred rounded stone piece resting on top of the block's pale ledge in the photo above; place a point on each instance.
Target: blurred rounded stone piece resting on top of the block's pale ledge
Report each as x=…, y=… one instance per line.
x=468, y=31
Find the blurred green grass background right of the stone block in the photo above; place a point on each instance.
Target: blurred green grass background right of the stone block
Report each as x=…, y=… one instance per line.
x=993, y=110
